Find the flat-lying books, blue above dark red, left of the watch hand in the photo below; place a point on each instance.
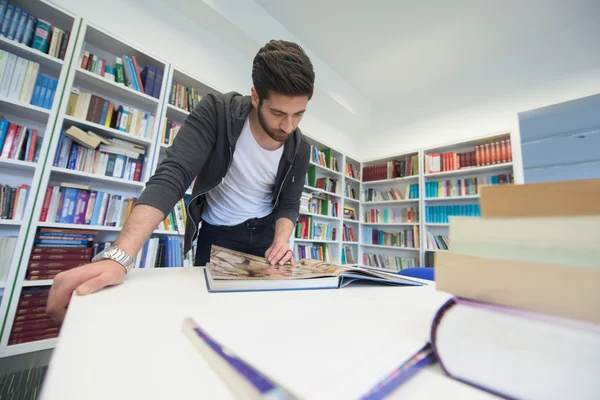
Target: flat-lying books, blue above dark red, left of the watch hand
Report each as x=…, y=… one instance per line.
x=56, y=250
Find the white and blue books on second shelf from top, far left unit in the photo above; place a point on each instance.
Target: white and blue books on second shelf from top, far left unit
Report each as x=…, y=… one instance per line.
x=20, y=80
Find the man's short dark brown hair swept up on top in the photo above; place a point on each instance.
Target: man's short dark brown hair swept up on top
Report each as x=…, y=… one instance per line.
x=282, y=67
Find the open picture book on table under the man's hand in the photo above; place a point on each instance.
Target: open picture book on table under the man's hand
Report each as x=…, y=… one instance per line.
x=230, y=270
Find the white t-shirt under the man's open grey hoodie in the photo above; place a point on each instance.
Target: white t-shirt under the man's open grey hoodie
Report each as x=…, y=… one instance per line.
x=247, y=190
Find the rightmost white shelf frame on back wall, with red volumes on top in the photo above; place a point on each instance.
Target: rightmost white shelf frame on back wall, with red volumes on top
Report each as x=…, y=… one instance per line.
x=463, y=173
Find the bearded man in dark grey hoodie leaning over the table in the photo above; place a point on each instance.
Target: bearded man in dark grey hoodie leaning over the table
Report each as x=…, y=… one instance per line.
x=249, y=160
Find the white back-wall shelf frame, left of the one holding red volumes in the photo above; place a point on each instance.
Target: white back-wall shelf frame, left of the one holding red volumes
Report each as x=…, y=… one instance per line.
x=400, y=183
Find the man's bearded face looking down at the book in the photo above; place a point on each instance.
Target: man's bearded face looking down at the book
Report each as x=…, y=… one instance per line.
x=279, y=115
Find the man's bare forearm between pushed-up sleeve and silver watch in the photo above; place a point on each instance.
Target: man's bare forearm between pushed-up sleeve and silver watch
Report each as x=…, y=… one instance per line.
x=142, y=221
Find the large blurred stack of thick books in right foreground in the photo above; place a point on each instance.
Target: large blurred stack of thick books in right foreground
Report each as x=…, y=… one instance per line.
x=526, y=276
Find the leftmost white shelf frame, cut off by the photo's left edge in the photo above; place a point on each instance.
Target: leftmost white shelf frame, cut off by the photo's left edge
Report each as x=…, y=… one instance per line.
x=14, y=172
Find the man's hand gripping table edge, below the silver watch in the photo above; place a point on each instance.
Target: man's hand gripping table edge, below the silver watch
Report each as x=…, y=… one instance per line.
x=85, y=279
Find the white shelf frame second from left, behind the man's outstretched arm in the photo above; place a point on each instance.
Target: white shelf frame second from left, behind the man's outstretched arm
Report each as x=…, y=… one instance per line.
x=84, y=36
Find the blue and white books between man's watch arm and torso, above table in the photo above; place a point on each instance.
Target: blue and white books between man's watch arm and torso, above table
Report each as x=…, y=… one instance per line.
x=163, y=252
